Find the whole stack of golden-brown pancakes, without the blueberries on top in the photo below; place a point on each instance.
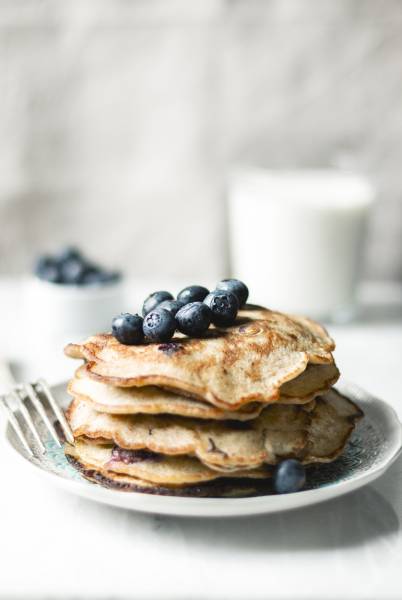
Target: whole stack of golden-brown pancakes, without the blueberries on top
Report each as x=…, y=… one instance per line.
x=208, y=416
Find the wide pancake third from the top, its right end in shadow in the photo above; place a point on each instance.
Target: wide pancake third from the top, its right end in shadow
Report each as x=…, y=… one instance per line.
x=311, y=434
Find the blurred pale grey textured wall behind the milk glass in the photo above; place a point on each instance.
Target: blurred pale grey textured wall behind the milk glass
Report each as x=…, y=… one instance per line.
x=120, y=118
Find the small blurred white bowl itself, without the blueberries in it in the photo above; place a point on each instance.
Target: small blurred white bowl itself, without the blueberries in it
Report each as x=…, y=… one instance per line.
x=57, y=312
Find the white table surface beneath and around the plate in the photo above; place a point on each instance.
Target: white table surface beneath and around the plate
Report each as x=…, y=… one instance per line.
x=55, y=545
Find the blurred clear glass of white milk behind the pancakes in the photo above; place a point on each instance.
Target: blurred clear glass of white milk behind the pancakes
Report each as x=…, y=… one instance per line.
x=296, y=238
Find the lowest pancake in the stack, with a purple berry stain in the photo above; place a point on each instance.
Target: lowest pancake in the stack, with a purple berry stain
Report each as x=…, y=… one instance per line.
x=147, y=466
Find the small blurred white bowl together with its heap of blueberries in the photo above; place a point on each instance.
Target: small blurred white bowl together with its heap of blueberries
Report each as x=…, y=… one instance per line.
x=71, y=295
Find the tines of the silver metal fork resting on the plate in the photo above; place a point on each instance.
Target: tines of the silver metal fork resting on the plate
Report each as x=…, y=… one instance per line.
x=15, y=404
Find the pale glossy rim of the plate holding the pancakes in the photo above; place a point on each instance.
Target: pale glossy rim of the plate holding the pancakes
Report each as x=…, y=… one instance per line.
x=232, y=507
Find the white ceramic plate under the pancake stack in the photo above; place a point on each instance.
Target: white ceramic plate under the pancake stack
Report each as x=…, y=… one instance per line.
x=375, y=444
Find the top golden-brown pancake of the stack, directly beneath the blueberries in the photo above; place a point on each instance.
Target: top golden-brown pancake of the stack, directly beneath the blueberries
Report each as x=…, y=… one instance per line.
x=227, y=368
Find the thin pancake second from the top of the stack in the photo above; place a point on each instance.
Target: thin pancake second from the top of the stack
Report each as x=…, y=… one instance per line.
x=149, y=400
